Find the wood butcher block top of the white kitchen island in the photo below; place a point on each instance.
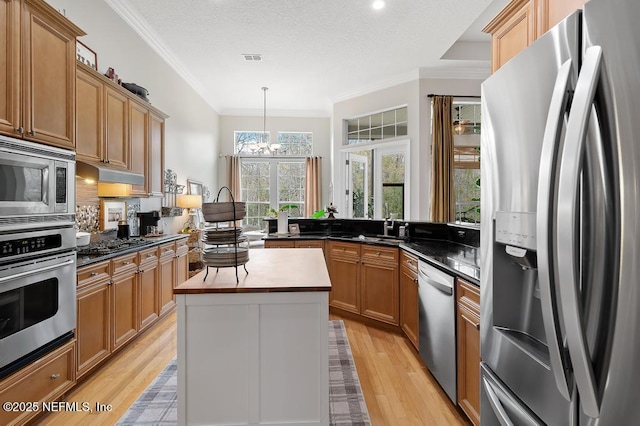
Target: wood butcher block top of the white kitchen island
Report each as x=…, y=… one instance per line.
x=282, y=270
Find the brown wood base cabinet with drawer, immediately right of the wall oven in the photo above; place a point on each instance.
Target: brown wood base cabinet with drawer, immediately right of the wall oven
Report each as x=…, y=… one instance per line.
x=93, y=330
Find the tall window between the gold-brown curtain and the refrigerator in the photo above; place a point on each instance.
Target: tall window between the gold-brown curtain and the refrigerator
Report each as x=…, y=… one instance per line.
x=466, y=173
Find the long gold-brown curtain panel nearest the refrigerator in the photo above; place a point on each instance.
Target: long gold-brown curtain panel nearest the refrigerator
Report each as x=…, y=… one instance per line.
x=442, y=203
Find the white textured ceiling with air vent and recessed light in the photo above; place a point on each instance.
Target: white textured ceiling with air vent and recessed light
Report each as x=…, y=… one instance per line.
x=315, y=52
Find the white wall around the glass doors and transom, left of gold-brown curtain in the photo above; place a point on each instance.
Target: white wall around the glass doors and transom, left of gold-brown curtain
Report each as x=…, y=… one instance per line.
x=414, y=95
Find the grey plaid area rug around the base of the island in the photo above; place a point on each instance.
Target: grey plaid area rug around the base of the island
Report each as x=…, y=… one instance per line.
x=158, y=403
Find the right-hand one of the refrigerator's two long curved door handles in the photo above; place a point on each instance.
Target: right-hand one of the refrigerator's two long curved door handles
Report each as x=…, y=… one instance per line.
x=567, y=215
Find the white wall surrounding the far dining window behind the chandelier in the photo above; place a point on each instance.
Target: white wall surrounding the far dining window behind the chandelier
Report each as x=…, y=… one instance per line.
x=320, y=127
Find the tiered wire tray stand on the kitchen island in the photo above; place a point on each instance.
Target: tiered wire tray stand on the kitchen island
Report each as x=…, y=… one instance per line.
x=223, y=245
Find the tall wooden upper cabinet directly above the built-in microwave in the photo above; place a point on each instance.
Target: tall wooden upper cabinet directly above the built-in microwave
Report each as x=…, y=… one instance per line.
x=37, y=73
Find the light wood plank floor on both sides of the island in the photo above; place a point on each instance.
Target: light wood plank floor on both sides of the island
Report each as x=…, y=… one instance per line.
x=398, y=389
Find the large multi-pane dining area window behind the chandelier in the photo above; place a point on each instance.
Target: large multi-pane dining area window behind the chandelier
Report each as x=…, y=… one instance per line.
x=273, y=180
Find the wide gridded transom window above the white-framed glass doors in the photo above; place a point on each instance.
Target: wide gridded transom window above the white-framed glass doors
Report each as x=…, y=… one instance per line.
x=382, y=125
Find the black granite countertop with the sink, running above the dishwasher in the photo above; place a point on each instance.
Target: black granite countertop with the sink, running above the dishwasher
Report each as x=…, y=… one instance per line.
x=456, y=259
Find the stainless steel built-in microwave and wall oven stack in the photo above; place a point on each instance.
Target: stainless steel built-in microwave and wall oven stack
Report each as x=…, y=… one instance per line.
x=37, y=251
